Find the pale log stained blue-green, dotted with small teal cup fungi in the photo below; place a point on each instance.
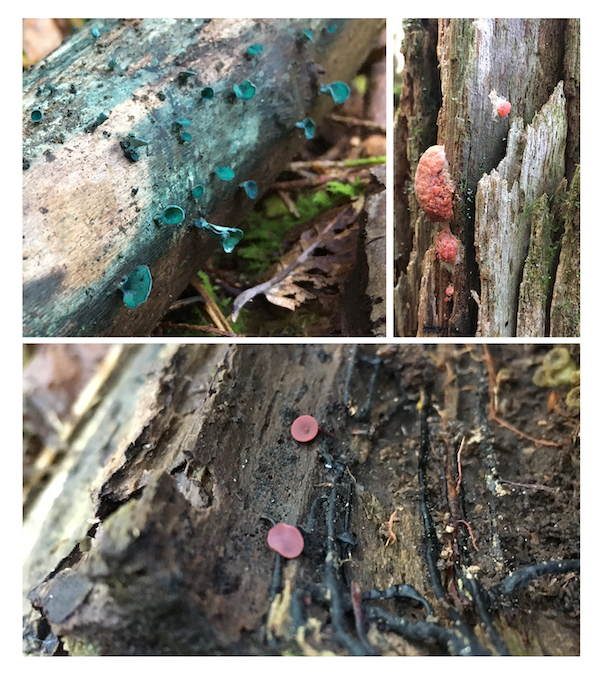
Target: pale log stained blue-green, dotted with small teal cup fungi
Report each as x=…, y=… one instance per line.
x=91, y=214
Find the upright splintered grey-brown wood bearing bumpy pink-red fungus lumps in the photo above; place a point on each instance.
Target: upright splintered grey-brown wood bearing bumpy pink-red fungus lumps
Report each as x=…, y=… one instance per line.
x=525, y=61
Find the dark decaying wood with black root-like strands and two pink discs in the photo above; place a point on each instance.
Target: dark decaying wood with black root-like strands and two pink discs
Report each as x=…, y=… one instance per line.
x=166, y=553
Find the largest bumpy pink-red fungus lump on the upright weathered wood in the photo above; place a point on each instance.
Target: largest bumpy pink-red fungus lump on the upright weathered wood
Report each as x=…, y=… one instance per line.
x=433, y=185
